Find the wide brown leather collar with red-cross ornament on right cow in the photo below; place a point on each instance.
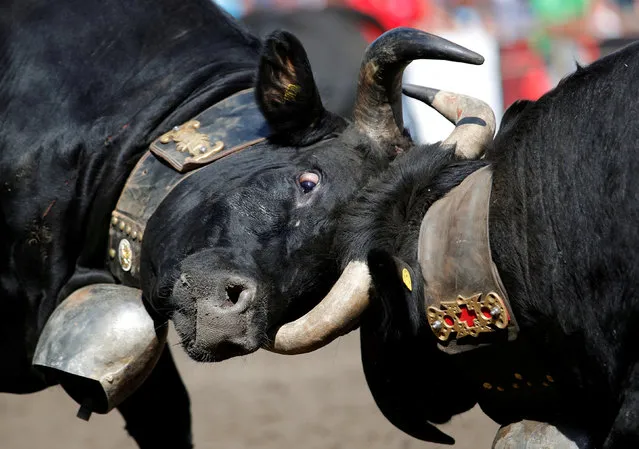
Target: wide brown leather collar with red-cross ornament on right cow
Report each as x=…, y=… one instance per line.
x=466, y=304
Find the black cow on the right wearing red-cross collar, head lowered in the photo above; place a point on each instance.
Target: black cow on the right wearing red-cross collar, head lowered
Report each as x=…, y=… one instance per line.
x=561, y=218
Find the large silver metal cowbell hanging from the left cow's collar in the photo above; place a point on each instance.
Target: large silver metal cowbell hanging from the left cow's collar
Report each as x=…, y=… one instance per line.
x=100, y=344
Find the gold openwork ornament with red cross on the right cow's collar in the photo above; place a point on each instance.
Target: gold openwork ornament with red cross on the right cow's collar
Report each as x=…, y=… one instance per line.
x=468, y=316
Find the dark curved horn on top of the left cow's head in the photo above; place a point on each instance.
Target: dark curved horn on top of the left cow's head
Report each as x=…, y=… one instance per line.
x=378, y=108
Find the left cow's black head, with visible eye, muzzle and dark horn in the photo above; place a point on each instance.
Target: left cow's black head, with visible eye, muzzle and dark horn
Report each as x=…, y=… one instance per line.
x=244, y=245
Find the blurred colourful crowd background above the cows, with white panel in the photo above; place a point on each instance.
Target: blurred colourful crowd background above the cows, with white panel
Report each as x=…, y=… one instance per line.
x=529, y=45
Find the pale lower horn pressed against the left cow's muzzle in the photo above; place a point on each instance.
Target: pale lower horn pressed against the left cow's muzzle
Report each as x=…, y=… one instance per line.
x=334, y=316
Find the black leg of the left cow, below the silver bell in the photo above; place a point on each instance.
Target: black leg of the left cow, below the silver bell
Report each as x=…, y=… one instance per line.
x=158, y=414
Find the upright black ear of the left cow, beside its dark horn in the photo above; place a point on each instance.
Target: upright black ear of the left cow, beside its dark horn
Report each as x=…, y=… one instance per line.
x=286, y=91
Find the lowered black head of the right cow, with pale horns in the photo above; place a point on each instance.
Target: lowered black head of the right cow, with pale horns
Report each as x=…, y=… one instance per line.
x=381, y=286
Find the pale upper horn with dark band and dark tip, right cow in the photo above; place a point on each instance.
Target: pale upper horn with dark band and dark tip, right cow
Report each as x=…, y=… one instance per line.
x=474, y=120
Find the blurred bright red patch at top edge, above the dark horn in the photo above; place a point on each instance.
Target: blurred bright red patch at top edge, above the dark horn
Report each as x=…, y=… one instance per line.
x=390, y=13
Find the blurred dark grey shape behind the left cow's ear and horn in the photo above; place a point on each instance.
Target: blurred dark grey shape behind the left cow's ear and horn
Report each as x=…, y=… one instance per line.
x=334, y=38
